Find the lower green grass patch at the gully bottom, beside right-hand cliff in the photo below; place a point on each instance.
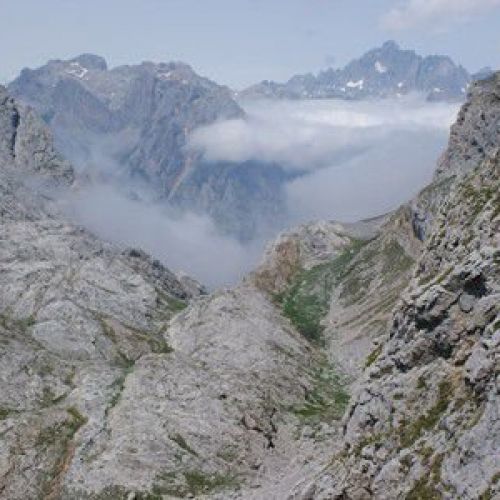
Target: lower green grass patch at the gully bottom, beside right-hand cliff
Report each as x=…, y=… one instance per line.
x=328, y=399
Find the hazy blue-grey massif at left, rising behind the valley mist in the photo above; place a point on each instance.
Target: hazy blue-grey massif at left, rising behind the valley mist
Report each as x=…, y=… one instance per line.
x=133, y=122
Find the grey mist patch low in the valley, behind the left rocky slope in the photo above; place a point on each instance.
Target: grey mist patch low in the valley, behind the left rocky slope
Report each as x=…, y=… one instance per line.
x=184, y=242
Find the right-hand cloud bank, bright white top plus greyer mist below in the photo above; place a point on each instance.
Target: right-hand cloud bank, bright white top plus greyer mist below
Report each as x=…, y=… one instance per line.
x=351, y=159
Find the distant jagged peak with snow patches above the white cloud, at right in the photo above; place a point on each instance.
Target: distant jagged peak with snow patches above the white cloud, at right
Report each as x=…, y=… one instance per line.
x=387, y=71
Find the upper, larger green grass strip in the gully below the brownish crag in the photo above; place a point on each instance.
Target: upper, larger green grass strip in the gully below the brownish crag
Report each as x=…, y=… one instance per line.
x=307, y=300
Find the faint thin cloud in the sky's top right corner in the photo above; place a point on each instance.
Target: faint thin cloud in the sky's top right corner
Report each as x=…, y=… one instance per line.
x=439, y=13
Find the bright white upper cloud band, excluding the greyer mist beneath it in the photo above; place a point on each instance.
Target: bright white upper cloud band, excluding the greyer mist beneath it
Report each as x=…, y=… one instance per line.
x=308, y=135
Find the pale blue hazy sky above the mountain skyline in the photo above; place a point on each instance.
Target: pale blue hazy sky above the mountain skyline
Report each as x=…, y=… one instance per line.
x=240, y=42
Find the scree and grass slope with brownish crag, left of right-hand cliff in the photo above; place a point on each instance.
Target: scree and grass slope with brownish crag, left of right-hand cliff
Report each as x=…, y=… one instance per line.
x=338, y=283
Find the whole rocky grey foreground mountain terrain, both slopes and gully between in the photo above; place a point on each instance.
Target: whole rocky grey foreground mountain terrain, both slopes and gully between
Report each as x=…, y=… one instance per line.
x=357, y=361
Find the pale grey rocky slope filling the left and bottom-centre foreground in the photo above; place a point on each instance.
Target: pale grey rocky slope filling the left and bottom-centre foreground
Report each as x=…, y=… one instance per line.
x=117, y=382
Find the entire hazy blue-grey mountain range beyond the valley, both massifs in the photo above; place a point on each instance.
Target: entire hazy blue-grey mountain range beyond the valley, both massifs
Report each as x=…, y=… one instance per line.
x=131, y=125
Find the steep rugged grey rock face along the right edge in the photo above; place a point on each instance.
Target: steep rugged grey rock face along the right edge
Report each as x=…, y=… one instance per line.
x=424, y=420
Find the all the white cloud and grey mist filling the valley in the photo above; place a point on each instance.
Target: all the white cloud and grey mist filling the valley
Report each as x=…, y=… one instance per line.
x=347, y=161
